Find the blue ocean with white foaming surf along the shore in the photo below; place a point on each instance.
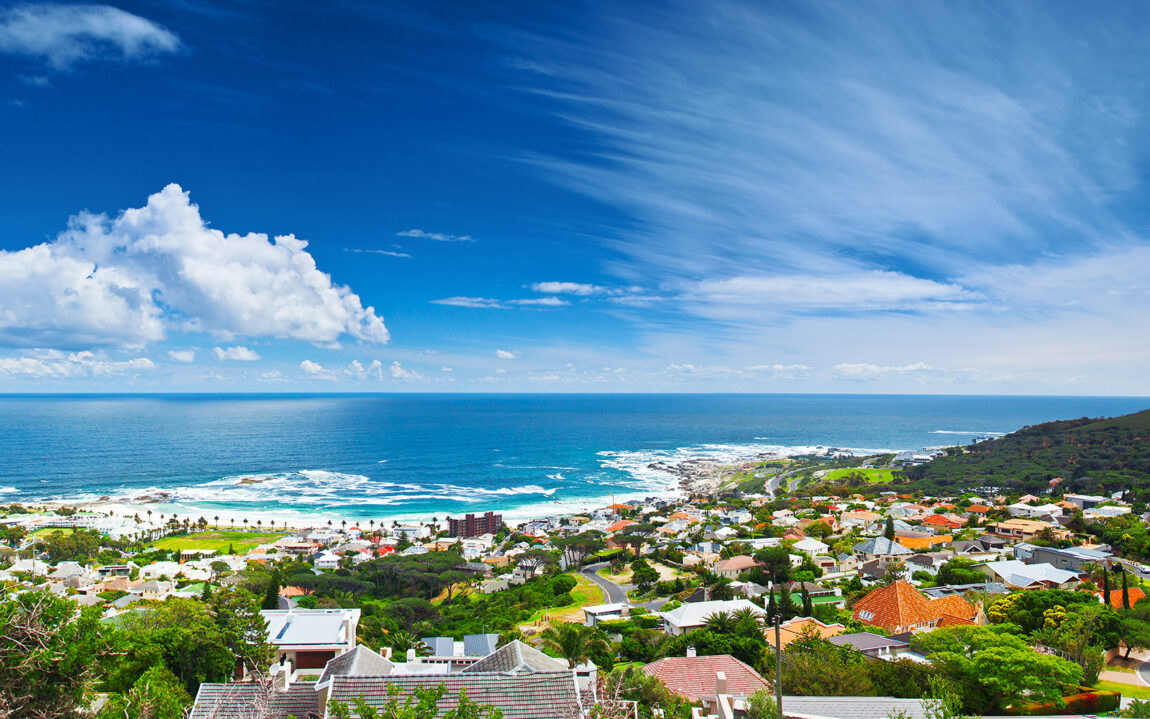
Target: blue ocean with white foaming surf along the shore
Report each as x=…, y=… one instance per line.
x=381, y=457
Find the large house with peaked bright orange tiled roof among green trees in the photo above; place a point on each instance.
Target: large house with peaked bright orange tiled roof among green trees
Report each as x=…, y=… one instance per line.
x=901, y=608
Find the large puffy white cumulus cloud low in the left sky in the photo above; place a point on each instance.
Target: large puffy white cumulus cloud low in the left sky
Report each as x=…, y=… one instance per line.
x=126, y=281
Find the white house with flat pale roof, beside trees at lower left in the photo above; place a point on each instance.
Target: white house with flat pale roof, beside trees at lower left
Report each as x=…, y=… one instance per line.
x=310, y=638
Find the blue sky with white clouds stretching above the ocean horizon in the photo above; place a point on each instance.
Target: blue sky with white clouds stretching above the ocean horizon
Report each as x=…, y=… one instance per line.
x=830, y=197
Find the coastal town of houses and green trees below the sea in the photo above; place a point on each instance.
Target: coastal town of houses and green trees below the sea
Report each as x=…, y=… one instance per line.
x=801, y=587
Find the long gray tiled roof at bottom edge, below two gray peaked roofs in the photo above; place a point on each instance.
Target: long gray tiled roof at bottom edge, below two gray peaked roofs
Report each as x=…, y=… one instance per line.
x=550, y=695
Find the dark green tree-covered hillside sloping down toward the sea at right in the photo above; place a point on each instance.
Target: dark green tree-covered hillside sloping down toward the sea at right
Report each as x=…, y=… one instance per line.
x=1093, y=456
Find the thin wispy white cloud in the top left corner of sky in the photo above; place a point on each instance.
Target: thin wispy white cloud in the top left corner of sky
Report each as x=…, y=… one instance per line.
x=67, y=35
